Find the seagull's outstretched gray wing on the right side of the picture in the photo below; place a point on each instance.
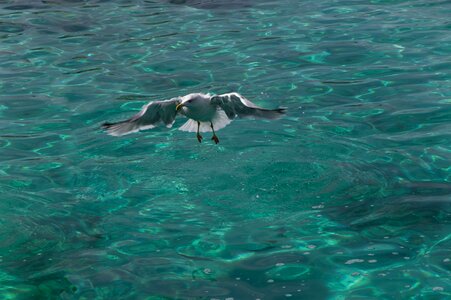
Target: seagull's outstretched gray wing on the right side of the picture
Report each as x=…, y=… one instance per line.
x=235, y=105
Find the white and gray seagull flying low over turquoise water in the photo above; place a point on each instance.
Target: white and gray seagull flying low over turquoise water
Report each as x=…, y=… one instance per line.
x=205, y=113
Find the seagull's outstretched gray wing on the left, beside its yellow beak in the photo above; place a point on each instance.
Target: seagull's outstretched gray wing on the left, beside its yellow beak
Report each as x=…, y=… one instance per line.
x=150, y=115
